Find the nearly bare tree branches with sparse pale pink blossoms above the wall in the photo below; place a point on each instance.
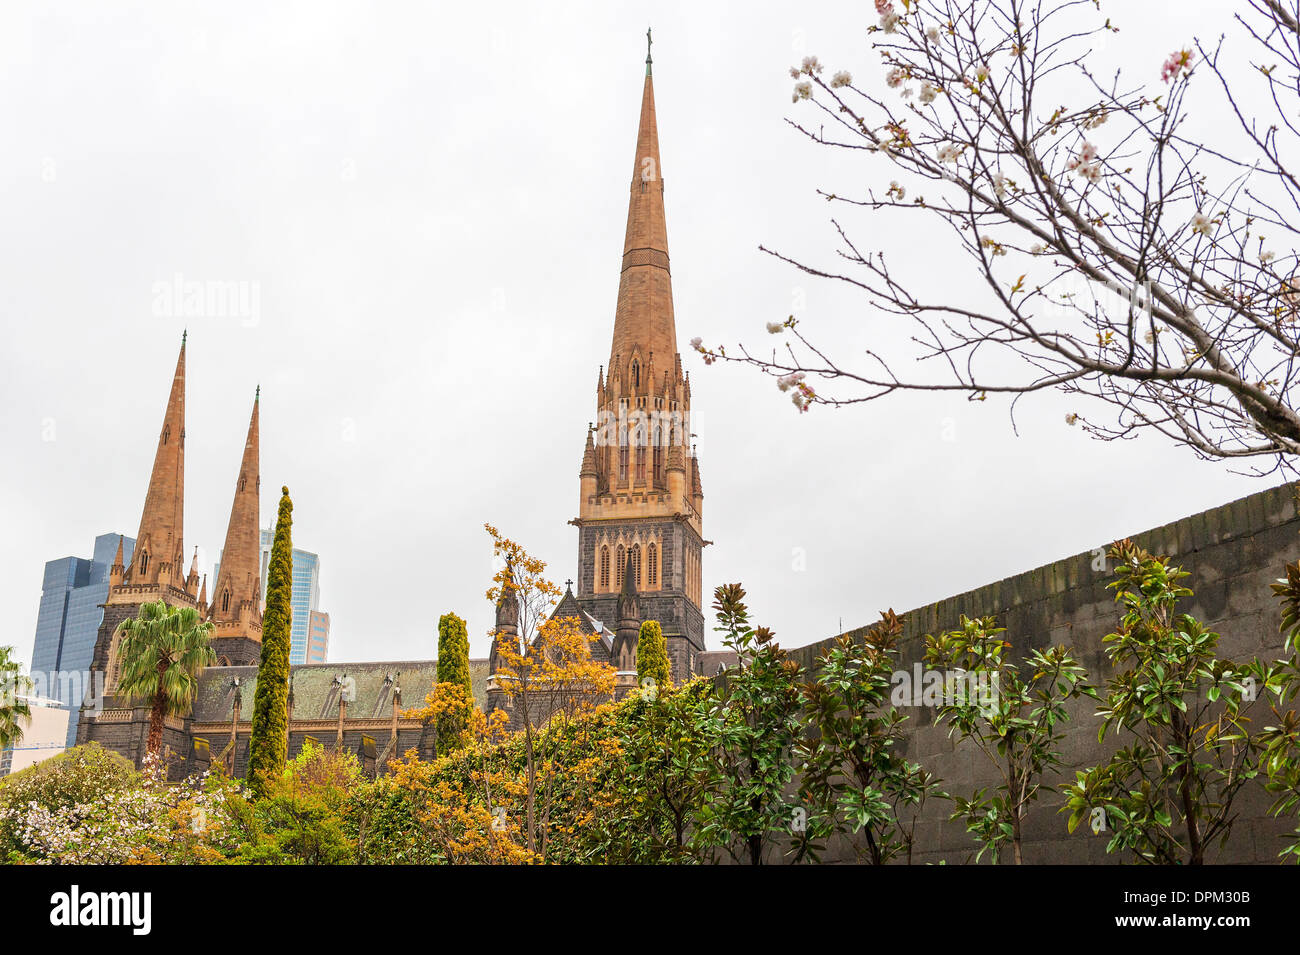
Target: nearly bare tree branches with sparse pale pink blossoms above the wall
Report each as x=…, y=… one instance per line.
x=1149, y=270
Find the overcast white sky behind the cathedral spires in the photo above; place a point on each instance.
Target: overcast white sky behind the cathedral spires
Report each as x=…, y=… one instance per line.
x=431, y=202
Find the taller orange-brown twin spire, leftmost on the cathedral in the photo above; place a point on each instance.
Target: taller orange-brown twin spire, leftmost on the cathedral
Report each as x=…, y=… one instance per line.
x=159, y=544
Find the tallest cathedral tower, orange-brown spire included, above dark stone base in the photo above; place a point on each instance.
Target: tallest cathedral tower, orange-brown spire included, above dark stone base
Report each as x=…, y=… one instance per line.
x=640, y=511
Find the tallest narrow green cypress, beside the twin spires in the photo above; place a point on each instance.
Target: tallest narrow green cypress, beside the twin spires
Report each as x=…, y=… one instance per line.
x=270, y=744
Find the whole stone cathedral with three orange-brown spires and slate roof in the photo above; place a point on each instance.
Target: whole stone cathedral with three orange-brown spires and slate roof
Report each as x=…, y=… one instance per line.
x=640, y=550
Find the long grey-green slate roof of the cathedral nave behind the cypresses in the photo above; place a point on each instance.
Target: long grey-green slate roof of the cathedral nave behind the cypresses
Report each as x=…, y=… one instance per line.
x=317, y=689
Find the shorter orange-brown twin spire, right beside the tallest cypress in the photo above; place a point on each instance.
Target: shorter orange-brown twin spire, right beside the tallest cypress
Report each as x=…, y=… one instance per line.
x=235, y=600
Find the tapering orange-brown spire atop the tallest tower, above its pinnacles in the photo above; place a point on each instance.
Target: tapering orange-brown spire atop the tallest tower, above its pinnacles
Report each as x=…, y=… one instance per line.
x=644, y=312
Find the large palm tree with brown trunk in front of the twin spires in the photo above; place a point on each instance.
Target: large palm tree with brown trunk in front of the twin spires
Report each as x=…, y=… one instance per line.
x=163, y=653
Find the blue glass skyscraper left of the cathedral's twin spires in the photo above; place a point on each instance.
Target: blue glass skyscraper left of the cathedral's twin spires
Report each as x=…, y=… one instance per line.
x=70, y=618
